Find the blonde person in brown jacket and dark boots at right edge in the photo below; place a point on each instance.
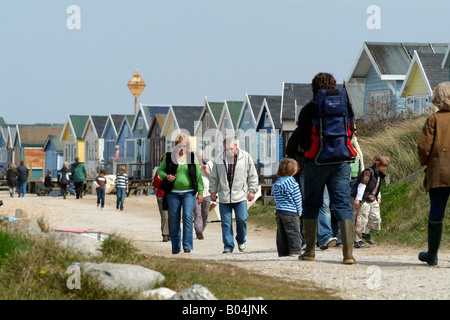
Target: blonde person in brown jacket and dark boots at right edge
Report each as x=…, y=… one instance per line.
x=434, y=152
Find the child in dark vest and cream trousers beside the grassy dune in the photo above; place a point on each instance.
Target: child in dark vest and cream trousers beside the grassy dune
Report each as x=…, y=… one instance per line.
x=367, y=195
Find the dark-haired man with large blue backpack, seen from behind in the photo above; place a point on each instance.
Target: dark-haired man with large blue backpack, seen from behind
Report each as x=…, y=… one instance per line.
x=325, y=128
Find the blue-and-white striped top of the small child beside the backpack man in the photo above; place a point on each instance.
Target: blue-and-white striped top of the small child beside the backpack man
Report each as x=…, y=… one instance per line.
x=287, y=195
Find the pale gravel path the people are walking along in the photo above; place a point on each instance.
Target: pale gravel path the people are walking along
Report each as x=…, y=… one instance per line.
x=380, y=273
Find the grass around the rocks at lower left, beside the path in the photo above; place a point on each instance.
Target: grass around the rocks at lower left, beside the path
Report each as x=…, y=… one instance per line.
x=36, y=269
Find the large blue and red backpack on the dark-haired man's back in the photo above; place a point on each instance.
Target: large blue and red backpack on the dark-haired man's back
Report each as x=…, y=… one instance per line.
x=331, y=129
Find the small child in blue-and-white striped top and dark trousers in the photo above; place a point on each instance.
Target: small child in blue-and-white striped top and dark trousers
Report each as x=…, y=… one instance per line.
x=289, y=207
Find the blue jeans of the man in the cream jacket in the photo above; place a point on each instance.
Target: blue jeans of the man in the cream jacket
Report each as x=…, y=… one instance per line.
x=241, y=214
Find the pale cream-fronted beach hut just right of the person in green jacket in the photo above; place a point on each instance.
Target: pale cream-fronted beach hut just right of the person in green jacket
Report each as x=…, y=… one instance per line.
x=94, y=144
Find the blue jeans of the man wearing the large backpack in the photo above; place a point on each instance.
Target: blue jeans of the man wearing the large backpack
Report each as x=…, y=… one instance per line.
x=337, y=179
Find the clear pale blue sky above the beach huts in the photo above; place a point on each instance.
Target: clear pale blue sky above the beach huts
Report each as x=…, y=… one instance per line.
x=56, y=61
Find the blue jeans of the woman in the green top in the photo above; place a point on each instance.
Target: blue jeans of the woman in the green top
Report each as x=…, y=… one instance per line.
x=176, y=201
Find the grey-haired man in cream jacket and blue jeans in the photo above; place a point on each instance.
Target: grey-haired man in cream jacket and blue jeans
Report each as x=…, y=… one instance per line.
x=235, y=180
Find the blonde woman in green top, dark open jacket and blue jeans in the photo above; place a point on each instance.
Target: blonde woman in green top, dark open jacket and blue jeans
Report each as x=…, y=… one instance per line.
x=182, y=181
